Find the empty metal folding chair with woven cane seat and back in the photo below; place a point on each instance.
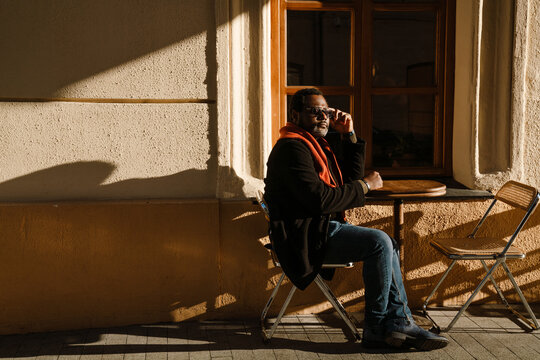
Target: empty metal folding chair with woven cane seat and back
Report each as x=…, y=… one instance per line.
x=517, y=195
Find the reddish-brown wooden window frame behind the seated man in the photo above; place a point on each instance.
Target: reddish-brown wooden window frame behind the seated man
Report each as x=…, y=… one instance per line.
x=360, y=87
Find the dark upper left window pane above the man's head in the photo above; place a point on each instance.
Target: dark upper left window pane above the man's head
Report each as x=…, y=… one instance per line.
x=318, y=47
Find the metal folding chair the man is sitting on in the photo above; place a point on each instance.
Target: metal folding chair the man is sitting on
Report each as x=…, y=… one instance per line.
x=268, y=333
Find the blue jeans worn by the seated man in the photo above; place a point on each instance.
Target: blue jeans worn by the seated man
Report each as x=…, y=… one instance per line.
x=385, y=298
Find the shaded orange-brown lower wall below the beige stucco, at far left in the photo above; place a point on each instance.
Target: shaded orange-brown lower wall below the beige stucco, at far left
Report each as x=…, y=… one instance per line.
x=92, y=264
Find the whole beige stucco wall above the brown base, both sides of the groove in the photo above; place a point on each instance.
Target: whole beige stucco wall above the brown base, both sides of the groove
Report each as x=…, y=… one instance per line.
x=95, y=55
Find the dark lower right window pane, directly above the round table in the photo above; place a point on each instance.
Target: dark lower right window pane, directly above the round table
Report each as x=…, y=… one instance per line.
x=403, y=130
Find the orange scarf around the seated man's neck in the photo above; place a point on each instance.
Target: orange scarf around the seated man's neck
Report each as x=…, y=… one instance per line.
x=292, y=131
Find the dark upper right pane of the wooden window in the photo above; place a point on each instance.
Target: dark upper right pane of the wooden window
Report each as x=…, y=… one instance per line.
x=403, y=49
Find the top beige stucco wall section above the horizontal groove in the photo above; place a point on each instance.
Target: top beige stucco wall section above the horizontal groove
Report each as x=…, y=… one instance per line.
x=104, y=49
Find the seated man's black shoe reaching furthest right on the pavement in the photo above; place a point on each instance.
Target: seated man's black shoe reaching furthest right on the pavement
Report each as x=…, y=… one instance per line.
x=403, y=333
